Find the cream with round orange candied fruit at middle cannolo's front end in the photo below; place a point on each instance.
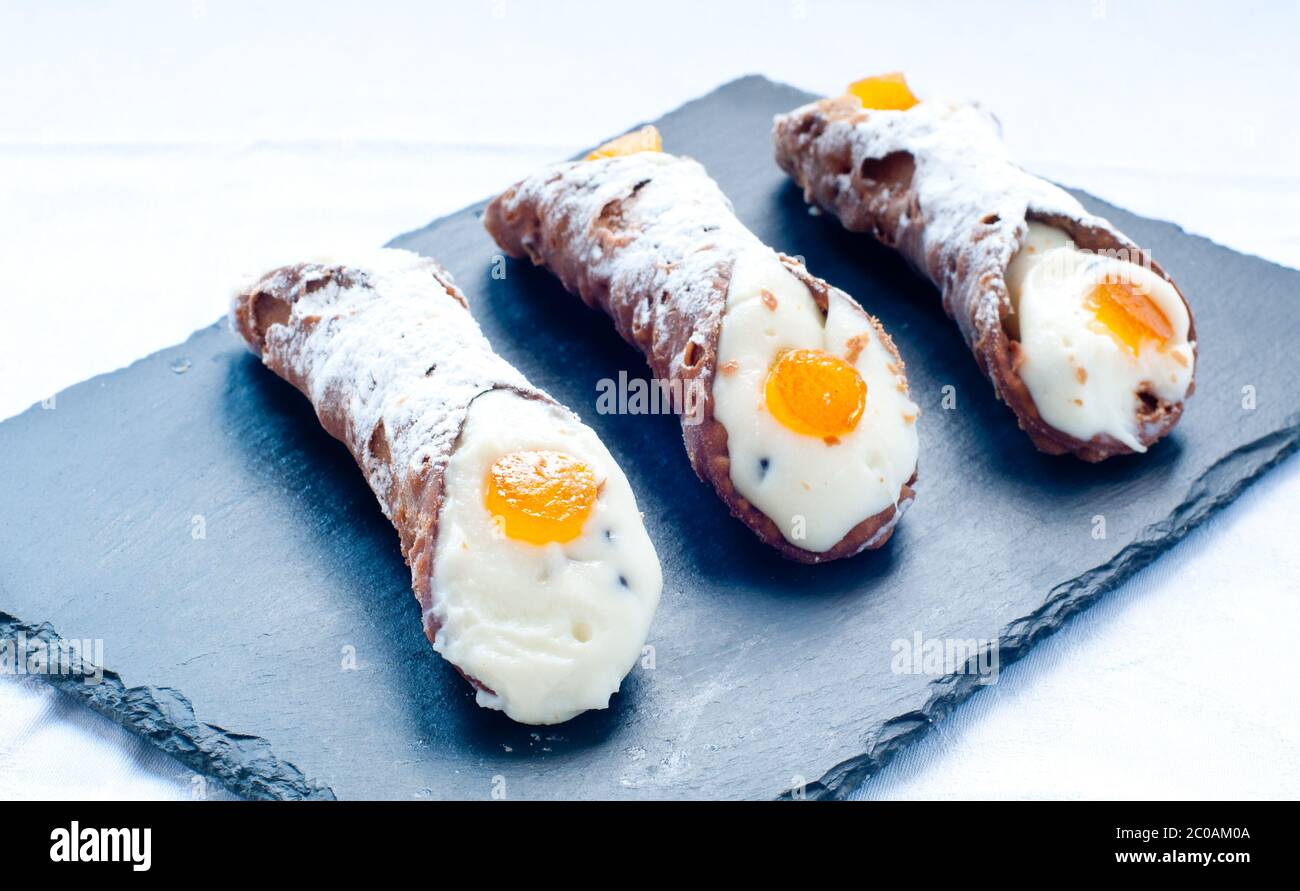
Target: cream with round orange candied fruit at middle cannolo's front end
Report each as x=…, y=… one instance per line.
x=816, y=485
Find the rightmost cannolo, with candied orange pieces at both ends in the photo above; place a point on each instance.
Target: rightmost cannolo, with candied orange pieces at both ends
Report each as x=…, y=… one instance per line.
x=1085, y=336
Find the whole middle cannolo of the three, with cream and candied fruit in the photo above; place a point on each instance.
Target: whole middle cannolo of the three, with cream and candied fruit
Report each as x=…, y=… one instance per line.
x=801, y=417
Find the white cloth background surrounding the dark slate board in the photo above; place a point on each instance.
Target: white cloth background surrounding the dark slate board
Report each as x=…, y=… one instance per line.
x=154, y=154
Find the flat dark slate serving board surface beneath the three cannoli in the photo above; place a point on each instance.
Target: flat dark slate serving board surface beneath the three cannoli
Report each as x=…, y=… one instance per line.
x=766, y=676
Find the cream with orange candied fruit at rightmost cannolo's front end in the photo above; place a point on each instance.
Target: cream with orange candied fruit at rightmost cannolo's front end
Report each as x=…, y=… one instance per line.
x=1098, y=335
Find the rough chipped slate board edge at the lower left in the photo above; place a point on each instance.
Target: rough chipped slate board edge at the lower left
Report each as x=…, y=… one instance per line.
x=244, y=764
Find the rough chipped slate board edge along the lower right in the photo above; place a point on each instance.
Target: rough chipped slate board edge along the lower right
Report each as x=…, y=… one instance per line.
x=1247, y=465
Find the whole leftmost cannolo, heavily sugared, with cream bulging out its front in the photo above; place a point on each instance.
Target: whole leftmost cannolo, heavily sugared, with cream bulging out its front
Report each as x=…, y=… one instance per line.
x=528, y=556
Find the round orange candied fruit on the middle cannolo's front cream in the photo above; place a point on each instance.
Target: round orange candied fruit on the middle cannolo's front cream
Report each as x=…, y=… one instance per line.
x=816, y=393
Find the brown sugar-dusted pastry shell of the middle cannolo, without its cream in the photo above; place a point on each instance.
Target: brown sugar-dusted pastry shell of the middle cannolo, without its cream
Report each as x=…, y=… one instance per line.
x=651, y=240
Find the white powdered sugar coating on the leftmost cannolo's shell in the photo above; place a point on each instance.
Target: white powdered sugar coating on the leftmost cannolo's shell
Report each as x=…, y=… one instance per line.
x=385, y=335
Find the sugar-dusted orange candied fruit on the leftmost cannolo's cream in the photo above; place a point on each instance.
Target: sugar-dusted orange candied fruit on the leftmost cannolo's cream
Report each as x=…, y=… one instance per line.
x=541, y=496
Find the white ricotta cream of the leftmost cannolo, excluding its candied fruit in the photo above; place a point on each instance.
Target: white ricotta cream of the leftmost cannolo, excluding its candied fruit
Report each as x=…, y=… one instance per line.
x=551, y=630
